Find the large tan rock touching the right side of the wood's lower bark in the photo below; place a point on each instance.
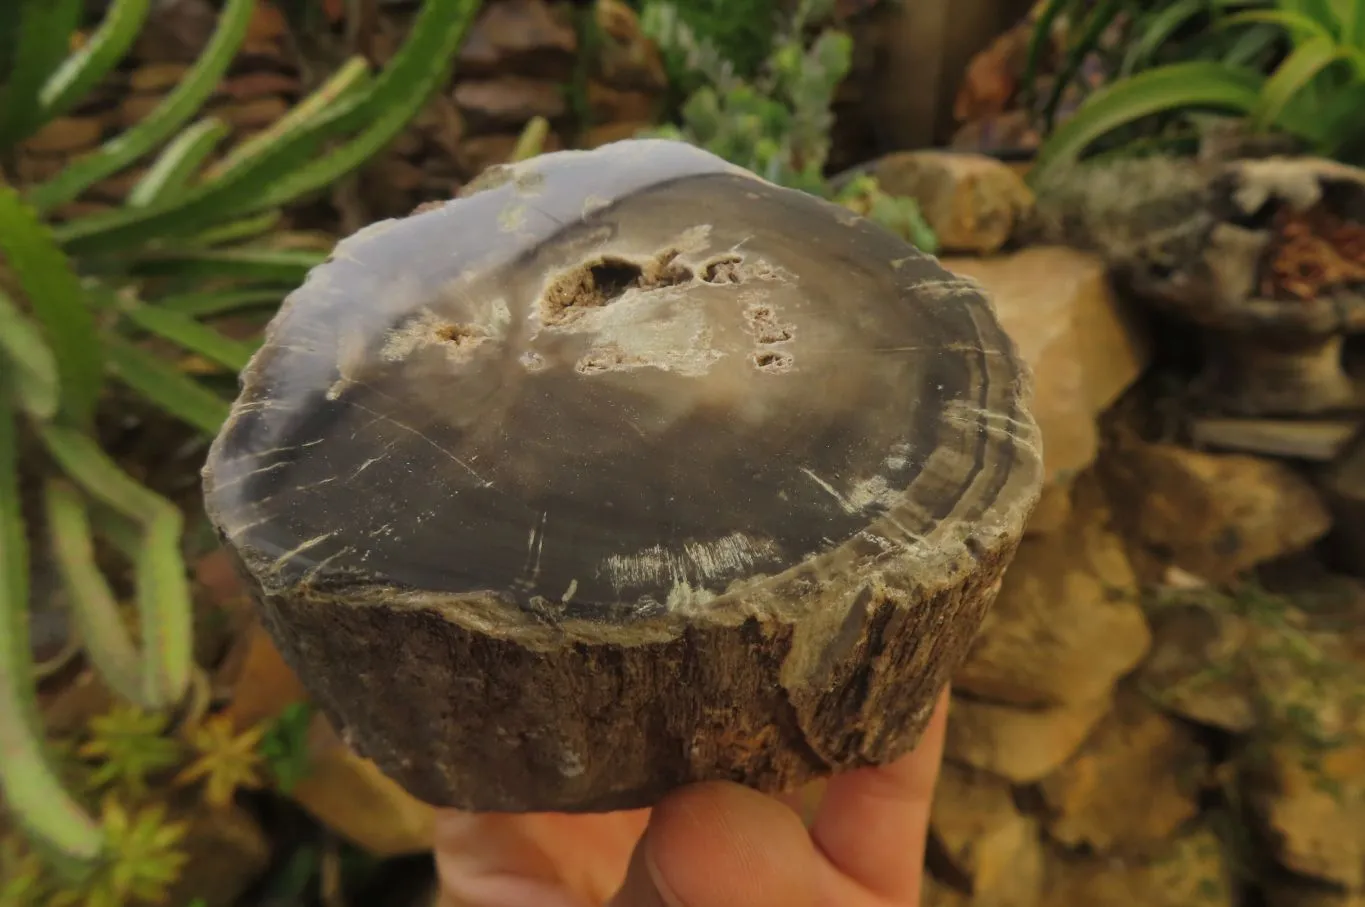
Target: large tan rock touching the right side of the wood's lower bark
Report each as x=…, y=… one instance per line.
x=1067, y=624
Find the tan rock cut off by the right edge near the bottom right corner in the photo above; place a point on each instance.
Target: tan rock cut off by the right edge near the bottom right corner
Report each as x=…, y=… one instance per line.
x=1312, y=807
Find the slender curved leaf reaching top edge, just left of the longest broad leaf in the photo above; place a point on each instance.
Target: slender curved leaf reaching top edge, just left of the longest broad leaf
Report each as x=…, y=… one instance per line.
x=158, y=126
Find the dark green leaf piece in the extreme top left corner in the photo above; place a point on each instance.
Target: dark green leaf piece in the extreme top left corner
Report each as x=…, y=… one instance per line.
x=44, y=39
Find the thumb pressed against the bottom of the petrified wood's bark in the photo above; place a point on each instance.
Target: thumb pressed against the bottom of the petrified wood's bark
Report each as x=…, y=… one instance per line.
x=721, y=845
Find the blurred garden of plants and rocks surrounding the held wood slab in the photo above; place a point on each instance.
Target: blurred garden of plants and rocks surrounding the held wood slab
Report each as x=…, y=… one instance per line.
x=1168, y=703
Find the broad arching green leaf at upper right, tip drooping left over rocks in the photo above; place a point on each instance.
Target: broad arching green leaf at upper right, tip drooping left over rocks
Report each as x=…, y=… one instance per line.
x=1164, y=89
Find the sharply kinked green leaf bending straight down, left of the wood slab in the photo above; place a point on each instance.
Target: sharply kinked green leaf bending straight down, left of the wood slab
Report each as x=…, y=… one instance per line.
x=164, y=609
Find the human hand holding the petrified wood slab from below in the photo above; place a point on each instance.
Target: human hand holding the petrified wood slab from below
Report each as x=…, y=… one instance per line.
x=712, y=845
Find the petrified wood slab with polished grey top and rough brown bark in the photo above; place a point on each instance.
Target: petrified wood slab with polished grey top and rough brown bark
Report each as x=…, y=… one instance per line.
x=626, y=472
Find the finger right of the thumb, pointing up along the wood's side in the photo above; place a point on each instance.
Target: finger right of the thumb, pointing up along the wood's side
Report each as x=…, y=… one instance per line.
x=874, y=823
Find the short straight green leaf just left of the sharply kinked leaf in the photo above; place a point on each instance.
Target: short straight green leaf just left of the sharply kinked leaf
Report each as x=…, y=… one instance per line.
x=92, y=602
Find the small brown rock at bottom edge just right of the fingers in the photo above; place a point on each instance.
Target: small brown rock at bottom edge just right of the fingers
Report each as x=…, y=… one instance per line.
x=983, y=841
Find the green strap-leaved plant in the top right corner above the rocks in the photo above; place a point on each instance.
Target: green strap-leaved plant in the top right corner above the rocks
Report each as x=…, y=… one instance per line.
x=1280, y=66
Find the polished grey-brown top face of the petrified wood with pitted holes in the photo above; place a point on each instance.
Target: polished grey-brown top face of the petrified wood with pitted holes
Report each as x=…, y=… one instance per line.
x=611, y=385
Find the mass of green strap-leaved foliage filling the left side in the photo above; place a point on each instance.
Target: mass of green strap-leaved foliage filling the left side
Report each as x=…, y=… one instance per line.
x=115, y=303
